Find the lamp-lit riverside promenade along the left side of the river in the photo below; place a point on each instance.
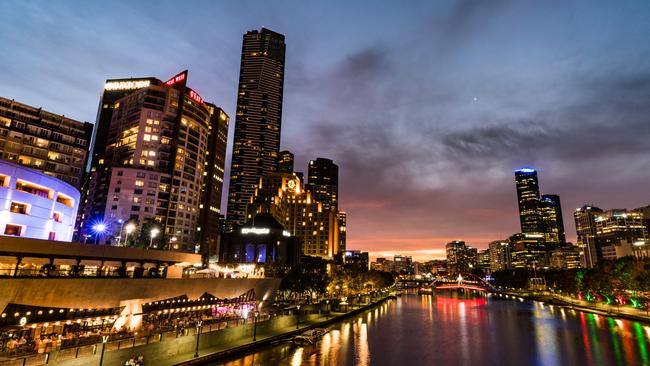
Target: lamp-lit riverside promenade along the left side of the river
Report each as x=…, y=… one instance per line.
x=172, y=349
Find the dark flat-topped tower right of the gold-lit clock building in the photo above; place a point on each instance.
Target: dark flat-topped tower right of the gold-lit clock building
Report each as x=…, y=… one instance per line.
x=323, y=182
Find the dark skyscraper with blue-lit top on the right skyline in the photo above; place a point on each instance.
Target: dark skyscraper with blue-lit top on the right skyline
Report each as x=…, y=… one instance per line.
x=528, y=198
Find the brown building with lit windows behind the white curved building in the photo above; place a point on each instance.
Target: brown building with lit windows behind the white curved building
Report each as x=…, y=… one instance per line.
x=44, y=141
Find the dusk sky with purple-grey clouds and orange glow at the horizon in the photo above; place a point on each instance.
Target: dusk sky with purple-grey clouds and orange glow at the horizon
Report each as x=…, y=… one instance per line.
x=426, y=107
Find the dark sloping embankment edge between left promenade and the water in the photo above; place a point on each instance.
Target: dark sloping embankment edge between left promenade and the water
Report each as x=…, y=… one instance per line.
x=265, y=338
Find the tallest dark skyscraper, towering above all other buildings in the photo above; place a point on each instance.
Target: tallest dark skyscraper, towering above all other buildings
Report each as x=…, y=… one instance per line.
x=258, y=119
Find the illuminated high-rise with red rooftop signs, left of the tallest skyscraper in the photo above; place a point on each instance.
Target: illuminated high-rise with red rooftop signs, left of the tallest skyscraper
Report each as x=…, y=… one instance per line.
x=152, y=165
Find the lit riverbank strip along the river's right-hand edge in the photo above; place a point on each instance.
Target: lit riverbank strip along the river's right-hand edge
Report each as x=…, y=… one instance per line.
x=581, y=305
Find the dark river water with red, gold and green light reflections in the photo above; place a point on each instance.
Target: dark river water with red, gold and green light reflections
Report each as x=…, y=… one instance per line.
x=429, y=330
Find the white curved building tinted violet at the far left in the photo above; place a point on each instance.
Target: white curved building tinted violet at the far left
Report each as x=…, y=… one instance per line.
x=36, y=205
